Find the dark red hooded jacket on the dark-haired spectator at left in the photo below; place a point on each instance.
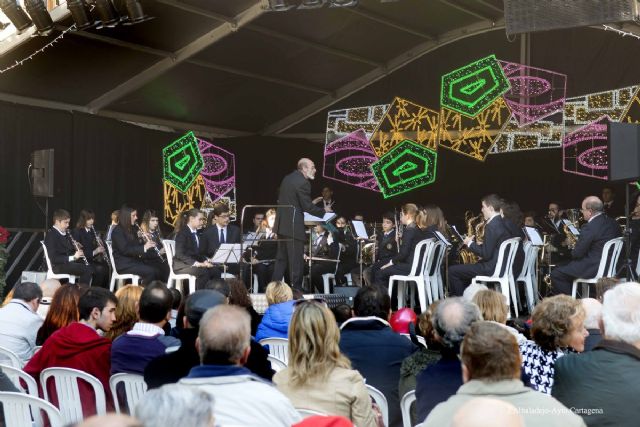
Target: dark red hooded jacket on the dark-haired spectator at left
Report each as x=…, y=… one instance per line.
x=77, y=346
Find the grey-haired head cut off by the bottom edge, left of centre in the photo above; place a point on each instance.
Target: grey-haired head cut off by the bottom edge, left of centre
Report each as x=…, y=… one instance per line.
x=176, y=405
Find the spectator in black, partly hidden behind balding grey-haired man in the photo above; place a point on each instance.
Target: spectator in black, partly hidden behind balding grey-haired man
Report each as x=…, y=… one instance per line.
x=171, y=367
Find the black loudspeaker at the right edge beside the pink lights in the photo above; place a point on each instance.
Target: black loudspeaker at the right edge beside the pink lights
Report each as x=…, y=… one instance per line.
x=624, y=151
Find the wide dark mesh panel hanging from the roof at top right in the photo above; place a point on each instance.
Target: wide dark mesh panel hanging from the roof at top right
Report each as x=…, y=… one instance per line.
x=525, y=16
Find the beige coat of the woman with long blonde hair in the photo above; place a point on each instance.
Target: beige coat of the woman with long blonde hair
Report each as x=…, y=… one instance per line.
x=342, y=393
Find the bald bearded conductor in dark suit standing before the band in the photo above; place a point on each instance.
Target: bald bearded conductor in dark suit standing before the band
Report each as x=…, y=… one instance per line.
x=295, y=190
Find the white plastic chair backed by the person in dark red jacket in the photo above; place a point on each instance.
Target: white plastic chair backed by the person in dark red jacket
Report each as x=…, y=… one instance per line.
x=68, y=393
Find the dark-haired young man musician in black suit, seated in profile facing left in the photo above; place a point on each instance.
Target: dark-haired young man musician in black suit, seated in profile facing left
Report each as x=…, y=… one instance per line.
x=495, y=232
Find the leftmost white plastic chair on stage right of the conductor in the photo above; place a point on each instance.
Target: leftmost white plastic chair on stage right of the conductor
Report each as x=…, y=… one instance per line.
x=417, y=274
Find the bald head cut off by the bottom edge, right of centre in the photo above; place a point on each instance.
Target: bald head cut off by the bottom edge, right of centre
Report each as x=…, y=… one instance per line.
x=486, y=412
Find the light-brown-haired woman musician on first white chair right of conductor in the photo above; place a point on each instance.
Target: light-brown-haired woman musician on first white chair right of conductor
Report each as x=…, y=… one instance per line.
x=415, y=231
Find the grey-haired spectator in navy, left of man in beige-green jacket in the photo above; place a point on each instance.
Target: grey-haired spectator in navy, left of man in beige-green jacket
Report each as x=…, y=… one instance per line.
x=440, y=380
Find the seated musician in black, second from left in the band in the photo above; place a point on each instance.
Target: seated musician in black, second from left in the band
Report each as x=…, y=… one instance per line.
x=85, y=234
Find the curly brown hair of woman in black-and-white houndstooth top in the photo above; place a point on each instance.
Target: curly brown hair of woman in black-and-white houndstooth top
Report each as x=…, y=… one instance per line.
x=553, y=321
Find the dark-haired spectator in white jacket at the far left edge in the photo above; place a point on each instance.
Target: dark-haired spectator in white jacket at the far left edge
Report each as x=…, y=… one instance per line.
x=19, y=321
